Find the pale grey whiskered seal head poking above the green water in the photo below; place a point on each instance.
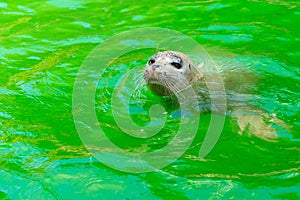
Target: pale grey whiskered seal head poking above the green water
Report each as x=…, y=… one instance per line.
x=169, y=72
